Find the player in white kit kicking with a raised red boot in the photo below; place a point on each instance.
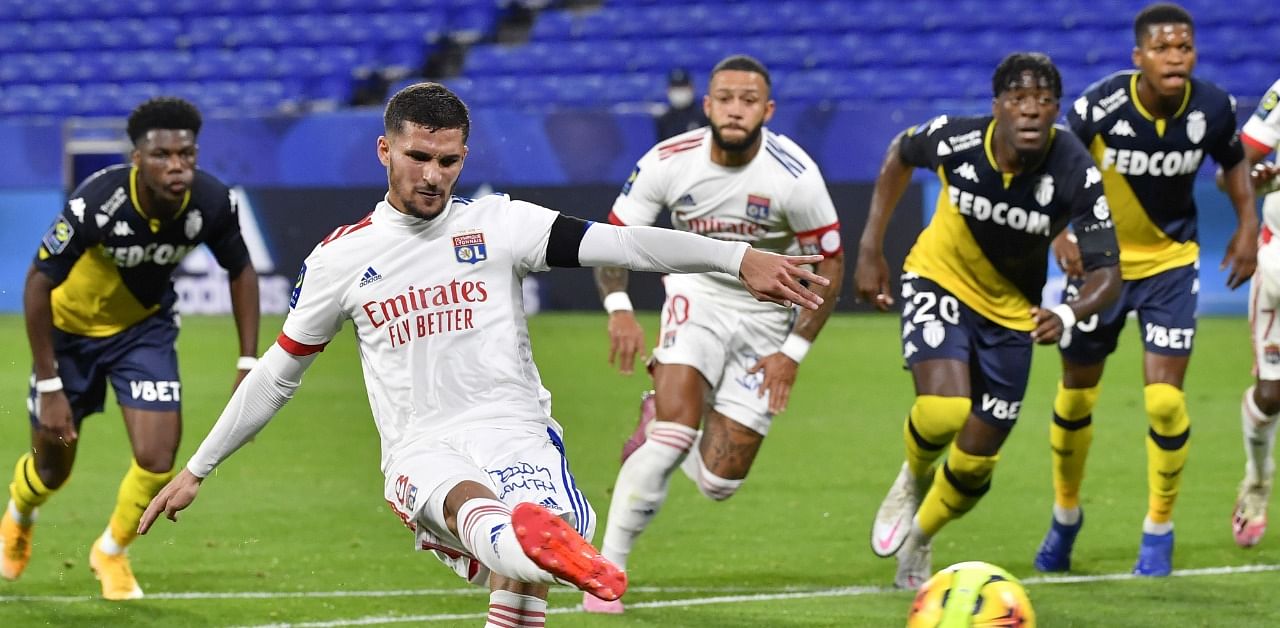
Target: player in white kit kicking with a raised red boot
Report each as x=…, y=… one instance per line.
x=473, y=460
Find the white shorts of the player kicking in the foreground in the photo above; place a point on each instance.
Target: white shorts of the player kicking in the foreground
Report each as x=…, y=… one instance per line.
x=523, y=462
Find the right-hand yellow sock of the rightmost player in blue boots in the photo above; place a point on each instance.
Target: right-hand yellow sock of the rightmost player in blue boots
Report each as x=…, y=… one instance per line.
x=1167, y=448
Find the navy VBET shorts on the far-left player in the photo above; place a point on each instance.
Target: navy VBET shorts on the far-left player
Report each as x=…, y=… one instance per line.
x=141, y=363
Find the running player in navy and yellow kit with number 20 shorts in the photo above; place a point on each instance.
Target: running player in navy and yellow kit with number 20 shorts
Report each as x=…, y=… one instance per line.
x=971, y=290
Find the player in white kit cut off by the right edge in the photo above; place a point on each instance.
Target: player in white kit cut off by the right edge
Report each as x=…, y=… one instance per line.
x=1261, y=404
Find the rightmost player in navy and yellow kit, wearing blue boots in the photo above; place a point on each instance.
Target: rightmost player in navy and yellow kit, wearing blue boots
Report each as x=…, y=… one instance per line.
x=1150, y=131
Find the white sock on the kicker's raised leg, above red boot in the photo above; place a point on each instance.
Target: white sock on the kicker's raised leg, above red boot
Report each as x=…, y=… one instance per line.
x=486, y=531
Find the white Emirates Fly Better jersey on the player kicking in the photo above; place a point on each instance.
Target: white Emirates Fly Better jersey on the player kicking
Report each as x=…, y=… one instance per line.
x=438, y=315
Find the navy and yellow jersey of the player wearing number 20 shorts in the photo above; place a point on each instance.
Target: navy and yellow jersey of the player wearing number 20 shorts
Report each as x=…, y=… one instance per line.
x=989, y=240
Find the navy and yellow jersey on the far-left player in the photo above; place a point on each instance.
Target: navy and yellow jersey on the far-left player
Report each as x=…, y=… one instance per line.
x=113, y=265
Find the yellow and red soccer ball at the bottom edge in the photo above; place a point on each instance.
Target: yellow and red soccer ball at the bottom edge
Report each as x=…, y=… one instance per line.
x=972, y=594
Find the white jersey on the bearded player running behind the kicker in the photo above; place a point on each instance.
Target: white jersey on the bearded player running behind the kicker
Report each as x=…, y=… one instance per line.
x=779, y=203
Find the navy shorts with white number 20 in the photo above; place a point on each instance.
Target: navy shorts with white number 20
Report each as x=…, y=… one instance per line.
x=936, y=326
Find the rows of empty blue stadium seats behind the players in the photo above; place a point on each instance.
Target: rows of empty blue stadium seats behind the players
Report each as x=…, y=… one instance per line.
x=259, y=57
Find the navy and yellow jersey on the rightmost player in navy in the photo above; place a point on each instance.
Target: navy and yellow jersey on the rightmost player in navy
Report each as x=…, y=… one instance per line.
x=1149, y=164
